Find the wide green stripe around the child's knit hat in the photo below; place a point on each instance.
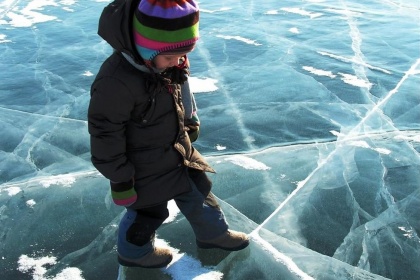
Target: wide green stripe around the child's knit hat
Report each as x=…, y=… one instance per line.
x=167, y=36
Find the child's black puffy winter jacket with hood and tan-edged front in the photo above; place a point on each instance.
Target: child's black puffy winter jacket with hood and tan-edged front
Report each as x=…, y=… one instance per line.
x=136, y=119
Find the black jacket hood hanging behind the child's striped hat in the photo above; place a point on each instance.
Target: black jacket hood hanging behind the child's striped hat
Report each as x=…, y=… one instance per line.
x=115, y=27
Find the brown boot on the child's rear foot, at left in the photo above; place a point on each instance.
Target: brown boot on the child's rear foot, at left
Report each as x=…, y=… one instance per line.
x=159, y=257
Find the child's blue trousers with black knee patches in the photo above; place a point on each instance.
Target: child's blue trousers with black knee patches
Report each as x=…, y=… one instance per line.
x=137, y=227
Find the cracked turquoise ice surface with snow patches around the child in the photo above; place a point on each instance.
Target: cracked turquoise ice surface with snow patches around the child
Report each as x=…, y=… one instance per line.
x=310, y=114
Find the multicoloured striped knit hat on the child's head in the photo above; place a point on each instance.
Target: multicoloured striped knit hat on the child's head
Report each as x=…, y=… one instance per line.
x=165, y=26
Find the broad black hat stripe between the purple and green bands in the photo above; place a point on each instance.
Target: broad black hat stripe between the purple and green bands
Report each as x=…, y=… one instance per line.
x=167, y=24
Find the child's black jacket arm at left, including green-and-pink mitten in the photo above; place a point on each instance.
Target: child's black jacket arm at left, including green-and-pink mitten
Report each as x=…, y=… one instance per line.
x=109, y=110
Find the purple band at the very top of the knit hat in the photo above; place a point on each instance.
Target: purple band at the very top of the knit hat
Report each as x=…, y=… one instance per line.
x=168, y=9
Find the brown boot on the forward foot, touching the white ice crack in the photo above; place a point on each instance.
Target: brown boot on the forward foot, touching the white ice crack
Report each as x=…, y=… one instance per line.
x=230, y=241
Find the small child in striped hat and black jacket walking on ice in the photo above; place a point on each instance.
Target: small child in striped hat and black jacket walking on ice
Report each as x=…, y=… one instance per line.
x=142, y=121
